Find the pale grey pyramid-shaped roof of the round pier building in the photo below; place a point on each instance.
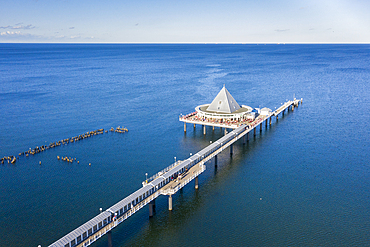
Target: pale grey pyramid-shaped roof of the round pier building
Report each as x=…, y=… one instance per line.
x=224, y=103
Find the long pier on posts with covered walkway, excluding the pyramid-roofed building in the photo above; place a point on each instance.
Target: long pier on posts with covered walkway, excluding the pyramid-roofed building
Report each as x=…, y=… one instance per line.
x=171, y=179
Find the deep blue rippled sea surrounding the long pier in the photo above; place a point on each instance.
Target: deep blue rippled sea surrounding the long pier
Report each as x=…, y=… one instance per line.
x=303, y=181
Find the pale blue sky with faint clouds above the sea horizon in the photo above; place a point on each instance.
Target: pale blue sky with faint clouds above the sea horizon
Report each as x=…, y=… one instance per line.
x=185, y=21
